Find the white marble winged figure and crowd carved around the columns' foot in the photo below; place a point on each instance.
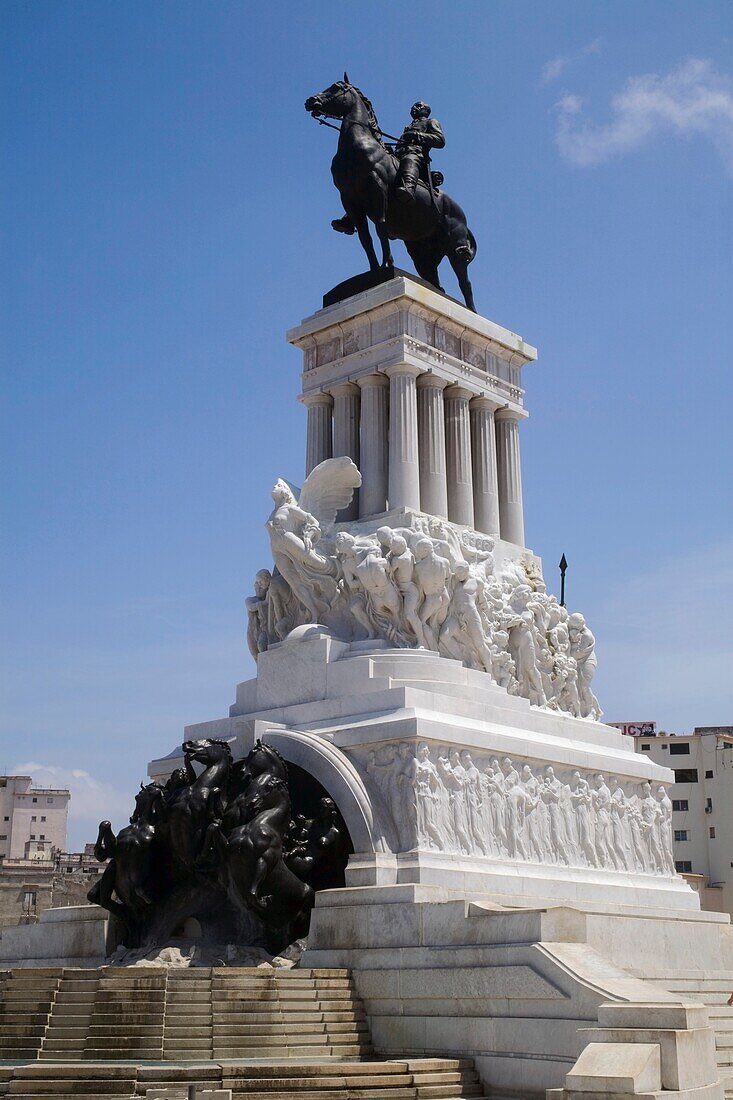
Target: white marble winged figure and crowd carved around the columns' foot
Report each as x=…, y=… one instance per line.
x=428, y=587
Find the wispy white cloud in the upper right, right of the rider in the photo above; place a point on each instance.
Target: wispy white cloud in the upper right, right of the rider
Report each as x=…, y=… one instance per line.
x=692, y=101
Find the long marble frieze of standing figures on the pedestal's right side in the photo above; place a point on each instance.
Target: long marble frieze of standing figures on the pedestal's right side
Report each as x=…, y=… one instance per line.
x=467, y=805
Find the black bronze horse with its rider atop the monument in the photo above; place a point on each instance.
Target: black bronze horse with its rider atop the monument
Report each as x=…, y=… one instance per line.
x=395, y=189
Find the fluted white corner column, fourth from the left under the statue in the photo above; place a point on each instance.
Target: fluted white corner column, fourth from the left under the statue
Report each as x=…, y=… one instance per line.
x=404, y=483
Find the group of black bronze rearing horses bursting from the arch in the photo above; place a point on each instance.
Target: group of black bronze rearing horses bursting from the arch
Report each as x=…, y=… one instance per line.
x=215, y=846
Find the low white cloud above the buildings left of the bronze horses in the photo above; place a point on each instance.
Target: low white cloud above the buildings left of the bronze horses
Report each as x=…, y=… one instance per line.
x=92, y=800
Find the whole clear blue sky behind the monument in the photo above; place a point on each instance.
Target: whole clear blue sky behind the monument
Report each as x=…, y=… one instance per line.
x=166, y=208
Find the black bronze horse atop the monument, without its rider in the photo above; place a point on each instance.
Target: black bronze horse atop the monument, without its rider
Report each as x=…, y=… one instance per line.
x=365, y=172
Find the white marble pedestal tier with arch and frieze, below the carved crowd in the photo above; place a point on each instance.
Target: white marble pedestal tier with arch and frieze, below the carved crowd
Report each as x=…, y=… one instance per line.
x=409, y=744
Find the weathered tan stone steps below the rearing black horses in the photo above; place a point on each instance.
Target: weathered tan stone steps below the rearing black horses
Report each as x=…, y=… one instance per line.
x=114, y=1033
